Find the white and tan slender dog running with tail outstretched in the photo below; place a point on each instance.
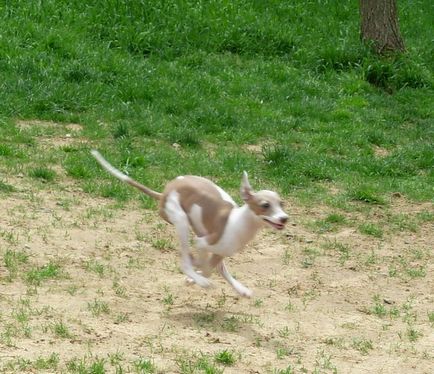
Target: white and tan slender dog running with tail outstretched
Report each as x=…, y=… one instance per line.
x=222, y=228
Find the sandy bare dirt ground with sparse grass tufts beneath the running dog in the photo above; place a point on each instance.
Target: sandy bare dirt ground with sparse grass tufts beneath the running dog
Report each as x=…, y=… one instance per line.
x=327, y=302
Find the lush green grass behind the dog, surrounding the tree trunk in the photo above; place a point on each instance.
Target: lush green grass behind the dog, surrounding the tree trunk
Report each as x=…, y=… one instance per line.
x=219, y=76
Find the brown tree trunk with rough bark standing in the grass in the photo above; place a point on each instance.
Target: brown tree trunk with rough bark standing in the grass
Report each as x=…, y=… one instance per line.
x=379, y=25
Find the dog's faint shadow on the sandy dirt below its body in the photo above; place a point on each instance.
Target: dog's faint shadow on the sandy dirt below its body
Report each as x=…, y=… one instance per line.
x=217, y=320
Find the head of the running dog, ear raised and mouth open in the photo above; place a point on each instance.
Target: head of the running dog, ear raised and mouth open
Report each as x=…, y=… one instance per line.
x=267, y=205
